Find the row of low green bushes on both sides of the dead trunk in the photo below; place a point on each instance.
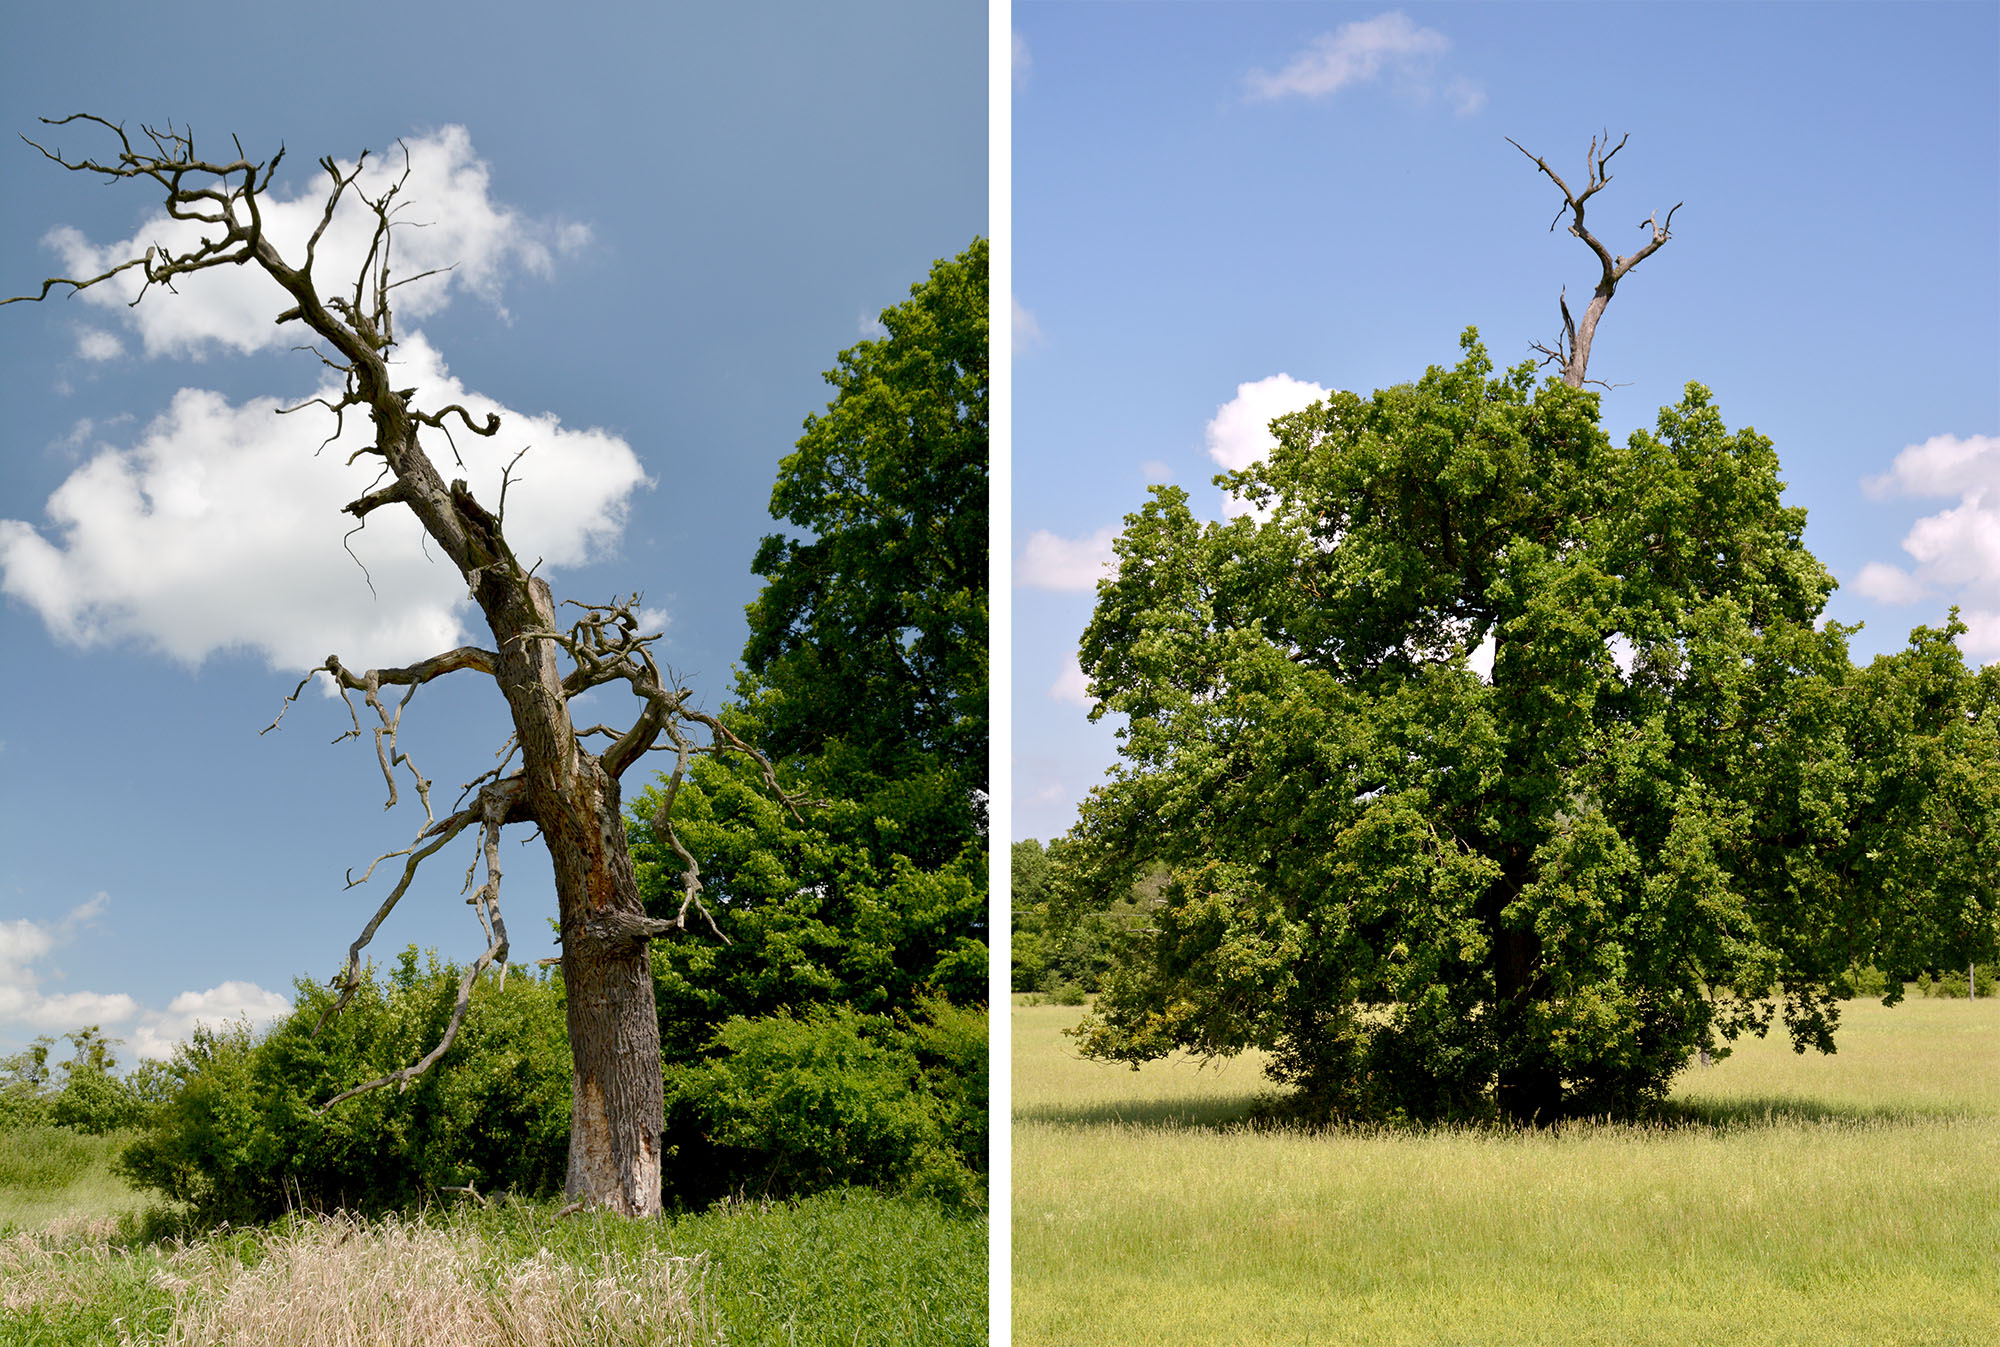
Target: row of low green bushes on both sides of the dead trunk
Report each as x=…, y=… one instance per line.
x=779, y=1106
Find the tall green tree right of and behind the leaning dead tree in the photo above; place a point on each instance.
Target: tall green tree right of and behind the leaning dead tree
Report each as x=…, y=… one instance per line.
x=865, y=680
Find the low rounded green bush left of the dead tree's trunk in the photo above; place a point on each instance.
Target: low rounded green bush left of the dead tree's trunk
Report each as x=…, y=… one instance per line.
x=241, y=1134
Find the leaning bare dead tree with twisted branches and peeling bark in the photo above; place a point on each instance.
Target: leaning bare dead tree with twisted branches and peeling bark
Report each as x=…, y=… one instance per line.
x=547, y=776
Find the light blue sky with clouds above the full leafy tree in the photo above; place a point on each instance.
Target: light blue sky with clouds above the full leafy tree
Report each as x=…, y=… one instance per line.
x=1209, y=197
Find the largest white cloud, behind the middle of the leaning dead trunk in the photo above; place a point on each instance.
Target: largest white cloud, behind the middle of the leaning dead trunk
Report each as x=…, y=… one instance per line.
x=221, y=529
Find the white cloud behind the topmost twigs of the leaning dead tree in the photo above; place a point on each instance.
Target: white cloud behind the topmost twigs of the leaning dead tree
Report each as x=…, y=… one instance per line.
x=455, y=229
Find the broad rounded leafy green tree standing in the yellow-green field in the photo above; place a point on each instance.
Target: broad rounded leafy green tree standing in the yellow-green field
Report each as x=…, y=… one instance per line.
x=1439, y=892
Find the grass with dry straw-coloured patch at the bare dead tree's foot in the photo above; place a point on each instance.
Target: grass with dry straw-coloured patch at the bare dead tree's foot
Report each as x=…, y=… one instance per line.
x=85, y=1260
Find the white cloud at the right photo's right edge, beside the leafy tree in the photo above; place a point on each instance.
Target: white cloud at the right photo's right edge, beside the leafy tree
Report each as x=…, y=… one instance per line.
x=1957, y=551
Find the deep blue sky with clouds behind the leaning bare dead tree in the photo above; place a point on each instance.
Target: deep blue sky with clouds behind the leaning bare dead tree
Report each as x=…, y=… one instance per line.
x=669, y=221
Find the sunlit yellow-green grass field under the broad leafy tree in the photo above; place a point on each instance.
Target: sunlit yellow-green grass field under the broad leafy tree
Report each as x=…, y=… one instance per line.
x=1833, y=1200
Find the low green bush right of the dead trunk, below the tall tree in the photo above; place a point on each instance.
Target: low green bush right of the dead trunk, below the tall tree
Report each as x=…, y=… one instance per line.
x=831, y=1100
